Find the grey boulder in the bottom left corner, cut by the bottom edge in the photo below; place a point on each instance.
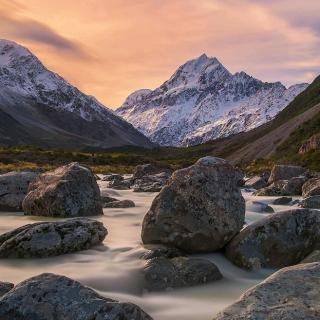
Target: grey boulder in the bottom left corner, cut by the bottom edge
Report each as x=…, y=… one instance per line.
x=50, y=296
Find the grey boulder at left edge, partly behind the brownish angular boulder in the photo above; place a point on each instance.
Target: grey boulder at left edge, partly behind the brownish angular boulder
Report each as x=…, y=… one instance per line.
x=13, y=189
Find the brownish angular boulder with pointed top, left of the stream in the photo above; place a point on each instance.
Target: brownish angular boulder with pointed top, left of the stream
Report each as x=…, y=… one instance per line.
x=68, y=191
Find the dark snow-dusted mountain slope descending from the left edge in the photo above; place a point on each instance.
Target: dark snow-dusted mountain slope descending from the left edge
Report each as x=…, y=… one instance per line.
x=50, y=112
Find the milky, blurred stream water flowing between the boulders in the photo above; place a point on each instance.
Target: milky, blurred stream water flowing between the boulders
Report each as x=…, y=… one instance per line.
x=114, y=269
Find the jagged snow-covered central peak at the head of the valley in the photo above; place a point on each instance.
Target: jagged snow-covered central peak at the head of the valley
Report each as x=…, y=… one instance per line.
x=204, y=101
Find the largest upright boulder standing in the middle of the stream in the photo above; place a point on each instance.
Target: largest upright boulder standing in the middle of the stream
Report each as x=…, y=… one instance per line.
x=199, y=210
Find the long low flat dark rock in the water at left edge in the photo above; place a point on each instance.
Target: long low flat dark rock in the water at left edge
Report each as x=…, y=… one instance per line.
x=51, y=238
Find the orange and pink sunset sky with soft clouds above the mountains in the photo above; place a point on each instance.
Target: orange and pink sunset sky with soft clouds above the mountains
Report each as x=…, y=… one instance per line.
x=110, y=48
